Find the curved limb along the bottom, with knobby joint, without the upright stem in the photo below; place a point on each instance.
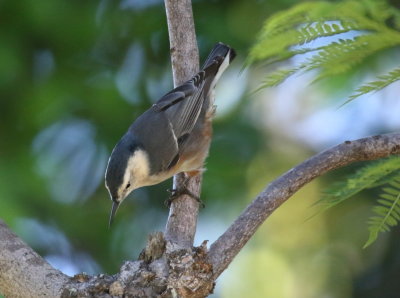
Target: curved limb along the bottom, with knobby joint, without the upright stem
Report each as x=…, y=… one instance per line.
x=23, y=273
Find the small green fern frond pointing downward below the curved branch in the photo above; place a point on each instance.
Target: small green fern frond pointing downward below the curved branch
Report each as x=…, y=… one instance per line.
x=387, y=212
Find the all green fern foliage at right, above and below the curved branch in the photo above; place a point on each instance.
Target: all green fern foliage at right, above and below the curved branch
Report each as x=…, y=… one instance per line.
x=348, y=33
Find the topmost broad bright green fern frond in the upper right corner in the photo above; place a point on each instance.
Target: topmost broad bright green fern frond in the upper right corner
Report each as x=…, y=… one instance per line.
x=311, y=20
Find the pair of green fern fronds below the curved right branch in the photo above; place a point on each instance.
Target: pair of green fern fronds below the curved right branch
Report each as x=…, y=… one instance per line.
x=378, y=173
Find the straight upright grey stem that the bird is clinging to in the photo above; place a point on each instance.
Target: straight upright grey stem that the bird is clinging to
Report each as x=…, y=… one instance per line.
x=182, y=220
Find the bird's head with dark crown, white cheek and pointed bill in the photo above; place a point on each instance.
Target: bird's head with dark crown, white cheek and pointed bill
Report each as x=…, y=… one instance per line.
x=127, y=169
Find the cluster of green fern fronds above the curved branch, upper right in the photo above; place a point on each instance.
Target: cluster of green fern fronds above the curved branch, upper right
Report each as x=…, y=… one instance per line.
x=293, y=32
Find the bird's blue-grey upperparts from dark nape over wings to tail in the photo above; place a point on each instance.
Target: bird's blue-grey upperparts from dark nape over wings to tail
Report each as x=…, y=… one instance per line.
x=162, y=131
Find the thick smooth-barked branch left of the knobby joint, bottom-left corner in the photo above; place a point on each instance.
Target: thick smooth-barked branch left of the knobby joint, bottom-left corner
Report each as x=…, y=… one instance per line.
x=23, y=273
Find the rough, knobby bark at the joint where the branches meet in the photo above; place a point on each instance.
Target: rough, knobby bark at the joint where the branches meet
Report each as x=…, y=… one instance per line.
x=159, y=272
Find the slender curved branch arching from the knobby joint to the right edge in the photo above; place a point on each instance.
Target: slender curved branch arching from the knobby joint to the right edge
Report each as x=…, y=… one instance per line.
x=227, y=246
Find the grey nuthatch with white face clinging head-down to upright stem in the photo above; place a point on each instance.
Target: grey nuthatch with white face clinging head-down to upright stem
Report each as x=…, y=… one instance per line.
x=171, y=137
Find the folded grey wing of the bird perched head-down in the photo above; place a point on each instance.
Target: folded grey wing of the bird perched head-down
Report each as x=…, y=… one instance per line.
x=164, y=128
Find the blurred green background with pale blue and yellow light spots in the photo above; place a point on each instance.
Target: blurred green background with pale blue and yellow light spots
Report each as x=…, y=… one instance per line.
x=74, y=75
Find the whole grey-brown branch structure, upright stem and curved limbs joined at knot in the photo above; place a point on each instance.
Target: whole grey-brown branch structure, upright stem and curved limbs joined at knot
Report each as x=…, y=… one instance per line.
x=162, y=270
